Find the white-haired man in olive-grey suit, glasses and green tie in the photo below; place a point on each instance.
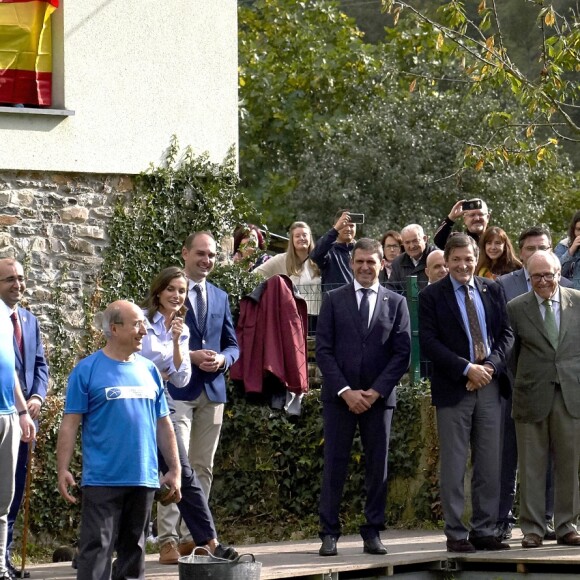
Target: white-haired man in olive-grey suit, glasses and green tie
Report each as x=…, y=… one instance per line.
x=546, y=399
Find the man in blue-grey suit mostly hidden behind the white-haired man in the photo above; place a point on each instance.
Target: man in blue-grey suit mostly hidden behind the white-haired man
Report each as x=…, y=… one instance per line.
x=515, y=284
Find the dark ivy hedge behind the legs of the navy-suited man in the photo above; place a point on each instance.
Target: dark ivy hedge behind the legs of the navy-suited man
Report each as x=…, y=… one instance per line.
x=268, y=467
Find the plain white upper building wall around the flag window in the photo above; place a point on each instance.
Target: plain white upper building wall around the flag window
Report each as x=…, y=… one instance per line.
x=135, y=72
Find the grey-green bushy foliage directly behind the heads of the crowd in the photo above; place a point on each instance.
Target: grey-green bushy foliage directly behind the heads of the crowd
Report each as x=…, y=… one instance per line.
x=397, y=162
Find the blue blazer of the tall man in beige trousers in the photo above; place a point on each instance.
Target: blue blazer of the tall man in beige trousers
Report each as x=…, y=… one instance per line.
x=220, y=336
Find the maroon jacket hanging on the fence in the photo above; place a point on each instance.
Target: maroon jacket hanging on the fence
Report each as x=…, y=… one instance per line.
x=272, y=334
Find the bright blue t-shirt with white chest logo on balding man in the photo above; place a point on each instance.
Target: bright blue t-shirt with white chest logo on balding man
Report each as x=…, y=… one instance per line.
x=120, y=403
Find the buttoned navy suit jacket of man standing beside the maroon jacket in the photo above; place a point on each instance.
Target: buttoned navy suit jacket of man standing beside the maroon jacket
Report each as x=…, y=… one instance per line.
x=348, y=356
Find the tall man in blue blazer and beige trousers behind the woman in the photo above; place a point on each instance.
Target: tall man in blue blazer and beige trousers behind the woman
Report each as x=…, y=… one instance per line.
x=199, y=407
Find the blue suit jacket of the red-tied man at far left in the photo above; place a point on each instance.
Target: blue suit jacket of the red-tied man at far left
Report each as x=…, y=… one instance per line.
x=33, y=370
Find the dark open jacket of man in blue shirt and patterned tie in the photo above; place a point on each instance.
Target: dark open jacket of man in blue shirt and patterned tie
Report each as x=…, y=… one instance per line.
x=444, y=339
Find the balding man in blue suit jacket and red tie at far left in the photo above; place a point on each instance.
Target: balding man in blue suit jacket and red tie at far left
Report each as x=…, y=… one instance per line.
x=32, y=373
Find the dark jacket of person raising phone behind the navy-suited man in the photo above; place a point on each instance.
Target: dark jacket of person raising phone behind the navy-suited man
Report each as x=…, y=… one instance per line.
x=333, y=259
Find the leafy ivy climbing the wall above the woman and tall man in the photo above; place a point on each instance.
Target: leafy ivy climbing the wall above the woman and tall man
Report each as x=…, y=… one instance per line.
x=184, y=195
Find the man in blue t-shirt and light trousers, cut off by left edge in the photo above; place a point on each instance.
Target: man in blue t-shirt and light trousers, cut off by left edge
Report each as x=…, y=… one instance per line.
x=13, y=427
